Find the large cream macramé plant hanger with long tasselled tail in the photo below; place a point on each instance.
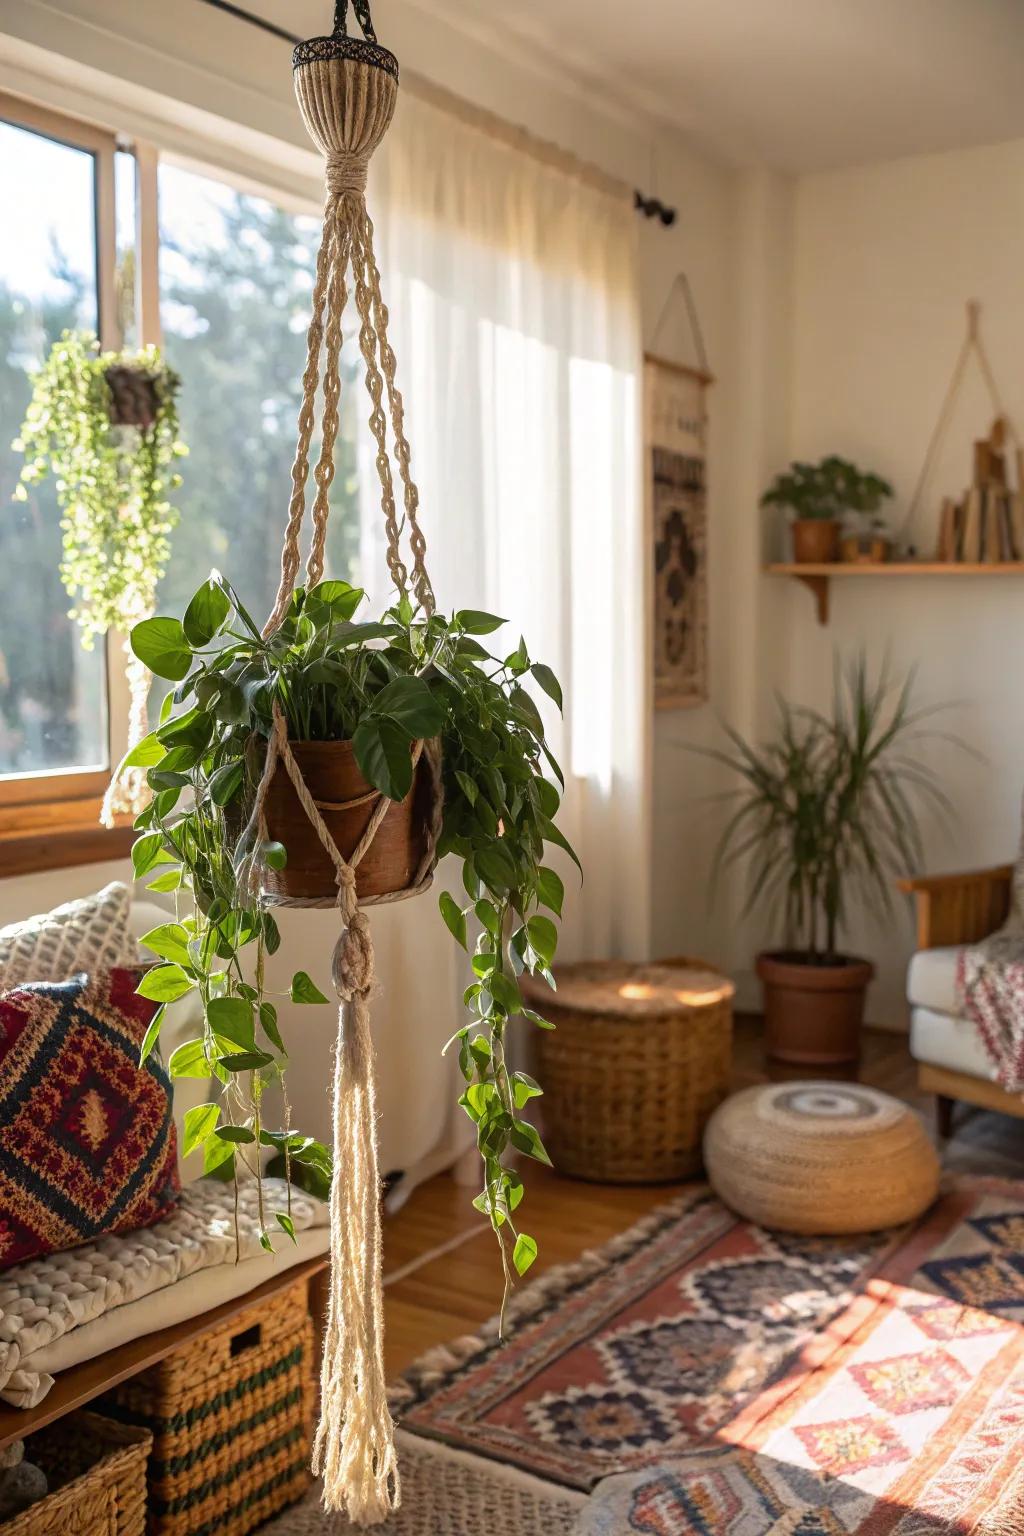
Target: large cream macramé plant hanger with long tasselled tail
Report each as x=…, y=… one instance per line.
x=348, y=91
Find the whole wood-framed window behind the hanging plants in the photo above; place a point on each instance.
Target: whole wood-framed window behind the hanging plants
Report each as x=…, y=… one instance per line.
x=140, y=250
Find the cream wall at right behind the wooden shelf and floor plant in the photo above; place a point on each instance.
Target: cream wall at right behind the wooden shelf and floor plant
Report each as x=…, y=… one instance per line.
x=885, y=262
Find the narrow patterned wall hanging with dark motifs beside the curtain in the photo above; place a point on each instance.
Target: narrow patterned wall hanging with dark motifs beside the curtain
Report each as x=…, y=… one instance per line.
x=676, y=435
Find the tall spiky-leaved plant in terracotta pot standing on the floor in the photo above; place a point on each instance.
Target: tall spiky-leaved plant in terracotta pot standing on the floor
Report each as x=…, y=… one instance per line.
x=825, y=809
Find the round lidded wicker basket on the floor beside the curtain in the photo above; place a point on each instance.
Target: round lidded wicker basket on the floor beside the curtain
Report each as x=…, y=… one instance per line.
x=636, y=1065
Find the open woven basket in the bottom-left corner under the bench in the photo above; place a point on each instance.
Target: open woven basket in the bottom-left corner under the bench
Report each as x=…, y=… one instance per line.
x=97, y=1475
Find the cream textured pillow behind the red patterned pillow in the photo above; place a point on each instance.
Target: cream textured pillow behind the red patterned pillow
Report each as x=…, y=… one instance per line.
x=90, y=935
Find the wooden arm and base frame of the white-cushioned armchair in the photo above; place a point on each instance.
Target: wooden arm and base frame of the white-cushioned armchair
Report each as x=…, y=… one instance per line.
x=960, y=910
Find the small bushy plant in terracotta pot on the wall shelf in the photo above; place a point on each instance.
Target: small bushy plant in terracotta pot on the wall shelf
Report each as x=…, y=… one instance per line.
x=819, y=497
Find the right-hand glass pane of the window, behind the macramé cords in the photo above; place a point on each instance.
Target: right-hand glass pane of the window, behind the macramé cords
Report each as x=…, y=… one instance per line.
x=236, y=286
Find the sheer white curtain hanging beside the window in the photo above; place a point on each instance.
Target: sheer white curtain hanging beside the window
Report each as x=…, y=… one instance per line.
x=515, y=317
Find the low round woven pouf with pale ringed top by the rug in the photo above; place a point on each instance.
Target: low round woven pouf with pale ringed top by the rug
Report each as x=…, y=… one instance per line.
x=821, y=1159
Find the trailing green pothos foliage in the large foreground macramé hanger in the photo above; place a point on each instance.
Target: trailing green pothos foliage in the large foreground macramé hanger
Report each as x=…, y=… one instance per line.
x=383, y=686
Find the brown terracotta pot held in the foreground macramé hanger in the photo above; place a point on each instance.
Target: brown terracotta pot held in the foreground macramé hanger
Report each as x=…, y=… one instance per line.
x=334, y=778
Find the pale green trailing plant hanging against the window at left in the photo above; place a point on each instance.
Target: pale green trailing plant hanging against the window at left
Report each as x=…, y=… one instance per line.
x=105, y=426
